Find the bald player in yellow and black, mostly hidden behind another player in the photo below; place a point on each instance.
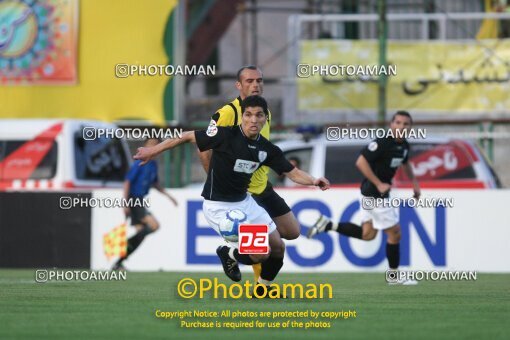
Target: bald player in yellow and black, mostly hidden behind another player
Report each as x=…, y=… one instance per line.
x=250, y=82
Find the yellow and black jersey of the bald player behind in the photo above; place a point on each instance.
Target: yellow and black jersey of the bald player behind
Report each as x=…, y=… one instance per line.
x=230, y=115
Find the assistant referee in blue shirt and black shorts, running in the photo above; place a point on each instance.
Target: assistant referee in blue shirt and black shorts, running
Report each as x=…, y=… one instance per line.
x=137, y=184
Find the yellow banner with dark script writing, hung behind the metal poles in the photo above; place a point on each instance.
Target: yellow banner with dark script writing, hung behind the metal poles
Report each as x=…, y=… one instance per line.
x=453, y=77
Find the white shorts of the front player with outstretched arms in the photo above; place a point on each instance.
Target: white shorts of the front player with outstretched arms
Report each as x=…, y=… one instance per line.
x=215, y=212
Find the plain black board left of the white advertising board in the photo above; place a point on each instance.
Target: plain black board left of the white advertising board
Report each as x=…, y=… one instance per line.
x=36, y=233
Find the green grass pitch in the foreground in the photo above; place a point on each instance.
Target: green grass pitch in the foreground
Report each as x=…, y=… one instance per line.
x=126, y=309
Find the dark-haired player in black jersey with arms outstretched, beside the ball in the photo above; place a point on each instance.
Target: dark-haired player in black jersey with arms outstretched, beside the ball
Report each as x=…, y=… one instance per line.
x=238, y=151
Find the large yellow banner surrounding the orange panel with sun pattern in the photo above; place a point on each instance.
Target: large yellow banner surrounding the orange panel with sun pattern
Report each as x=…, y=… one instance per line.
x=109, y=33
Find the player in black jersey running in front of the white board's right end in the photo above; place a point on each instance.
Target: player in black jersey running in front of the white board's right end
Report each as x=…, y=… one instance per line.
x=378, y=162
